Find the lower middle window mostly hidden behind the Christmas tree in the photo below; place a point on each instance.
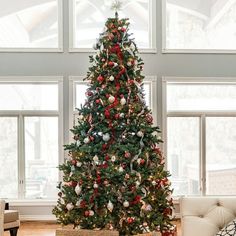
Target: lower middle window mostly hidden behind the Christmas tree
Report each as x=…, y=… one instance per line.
x=78, y=88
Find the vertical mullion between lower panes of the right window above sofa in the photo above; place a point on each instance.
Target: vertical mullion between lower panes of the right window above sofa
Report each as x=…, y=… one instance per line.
x=203, y=154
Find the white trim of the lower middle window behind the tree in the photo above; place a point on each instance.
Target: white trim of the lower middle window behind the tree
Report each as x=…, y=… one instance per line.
x=152, y=80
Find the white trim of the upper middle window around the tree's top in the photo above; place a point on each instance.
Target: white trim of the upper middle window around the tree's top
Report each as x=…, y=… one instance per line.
x=152, y=30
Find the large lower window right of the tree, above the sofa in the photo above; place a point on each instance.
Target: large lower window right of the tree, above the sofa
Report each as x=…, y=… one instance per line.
x=200, y=126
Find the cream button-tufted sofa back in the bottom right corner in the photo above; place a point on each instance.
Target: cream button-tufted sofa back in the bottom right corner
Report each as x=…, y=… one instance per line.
x=205, y=216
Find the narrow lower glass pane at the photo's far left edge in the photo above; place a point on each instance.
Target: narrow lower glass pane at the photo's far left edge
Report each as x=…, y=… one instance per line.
x=8, y=158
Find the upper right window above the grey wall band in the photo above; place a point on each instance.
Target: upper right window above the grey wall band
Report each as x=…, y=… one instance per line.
x=199, y=26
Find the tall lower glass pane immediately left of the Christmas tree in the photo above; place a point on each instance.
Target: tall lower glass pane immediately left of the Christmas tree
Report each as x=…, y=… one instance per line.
x=41, y=156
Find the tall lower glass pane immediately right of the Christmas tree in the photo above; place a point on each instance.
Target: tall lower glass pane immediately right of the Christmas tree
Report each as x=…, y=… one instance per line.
x=183, y=154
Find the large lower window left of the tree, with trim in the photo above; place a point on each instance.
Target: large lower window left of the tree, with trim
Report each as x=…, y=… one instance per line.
x=30, y=122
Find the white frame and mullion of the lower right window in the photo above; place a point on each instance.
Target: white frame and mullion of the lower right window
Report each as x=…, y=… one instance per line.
x=201, y=114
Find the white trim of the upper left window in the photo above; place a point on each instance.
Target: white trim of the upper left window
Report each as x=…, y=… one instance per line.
x=60, y=37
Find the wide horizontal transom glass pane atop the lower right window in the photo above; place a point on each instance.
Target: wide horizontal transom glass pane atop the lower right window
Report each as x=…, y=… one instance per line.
x=194, y=97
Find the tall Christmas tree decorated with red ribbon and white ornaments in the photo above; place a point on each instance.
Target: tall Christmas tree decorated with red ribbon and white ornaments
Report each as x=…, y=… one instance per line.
x=114, y=176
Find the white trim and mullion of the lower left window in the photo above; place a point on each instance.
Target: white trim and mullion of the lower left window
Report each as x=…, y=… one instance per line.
x=20, y=115
